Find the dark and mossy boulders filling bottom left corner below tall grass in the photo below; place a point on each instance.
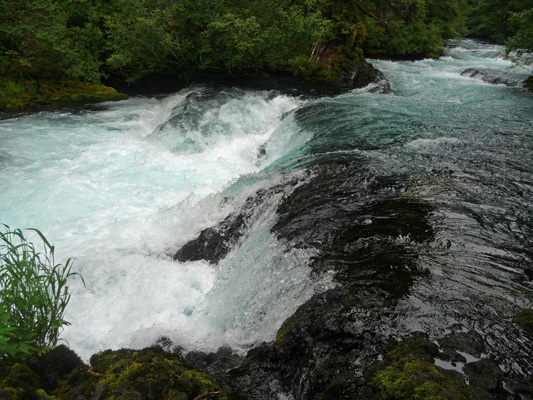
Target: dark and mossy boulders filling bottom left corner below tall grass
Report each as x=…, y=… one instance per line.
x=148, y=374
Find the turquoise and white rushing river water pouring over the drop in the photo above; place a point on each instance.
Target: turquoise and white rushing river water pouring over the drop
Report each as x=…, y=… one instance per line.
x=122, y=186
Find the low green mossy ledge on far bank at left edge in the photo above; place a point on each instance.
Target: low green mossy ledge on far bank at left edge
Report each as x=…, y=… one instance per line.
x=53, y=94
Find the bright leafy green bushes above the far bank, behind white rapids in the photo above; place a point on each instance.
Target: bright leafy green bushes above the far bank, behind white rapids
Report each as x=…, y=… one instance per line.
x=186, y=37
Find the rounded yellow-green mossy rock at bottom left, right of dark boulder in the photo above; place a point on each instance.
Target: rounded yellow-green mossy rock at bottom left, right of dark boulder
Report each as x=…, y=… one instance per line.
x=144, y=374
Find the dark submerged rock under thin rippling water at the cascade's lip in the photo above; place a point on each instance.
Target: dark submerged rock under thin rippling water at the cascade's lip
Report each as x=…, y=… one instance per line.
x=365, y=242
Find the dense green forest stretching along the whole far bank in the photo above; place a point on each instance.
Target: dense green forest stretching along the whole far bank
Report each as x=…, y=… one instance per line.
x=81, y=44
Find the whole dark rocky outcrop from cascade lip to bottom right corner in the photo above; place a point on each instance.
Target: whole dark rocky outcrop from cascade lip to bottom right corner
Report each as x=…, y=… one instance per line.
x=367, y=233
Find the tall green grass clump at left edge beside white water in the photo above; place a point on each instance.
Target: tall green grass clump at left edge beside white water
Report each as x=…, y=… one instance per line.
x=33, y=295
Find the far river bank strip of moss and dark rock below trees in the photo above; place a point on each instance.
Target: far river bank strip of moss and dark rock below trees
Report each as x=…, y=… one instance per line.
x=52, y=95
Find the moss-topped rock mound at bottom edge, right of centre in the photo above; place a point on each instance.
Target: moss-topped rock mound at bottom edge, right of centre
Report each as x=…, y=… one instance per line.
x=409, y=373
